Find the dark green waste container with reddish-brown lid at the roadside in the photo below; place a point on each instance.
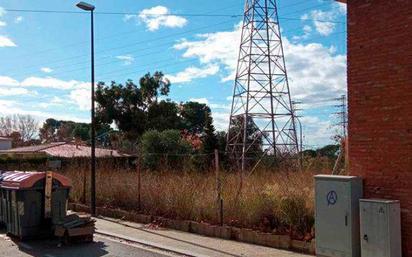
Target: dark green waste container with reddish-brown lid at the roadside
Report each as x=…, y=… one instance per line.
x=23, y=203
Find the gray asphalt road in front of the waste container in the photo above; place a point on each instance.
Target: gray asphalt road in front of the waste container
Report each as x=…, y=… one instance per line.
x=102, y=246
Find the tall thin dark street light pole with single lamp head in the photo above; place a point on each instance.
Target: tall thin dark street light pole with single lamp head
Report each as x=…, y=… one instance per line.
x=90, y=8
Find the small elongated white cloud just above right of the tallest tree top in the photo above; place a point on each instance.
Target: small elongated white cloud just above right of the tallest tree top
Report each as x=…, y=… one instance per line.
x=191, y=73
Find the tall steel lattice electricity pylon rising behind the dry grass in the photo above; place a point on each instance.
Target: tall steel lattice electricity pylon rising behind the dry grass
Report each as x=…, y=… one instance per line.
x=262, y=120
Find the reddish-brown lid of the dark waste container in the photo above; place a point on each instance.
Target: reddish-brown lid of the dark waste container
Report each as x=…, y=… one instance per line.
x=21, y=180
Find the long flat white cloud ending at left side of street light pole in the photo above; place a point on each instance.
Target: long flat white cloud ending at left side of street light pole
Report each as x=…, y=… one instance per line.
x=50, y=82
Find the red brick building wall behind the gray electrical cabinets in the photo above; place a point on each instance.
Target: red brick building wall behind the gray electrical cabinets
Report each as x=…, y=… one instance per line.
x=380, y=101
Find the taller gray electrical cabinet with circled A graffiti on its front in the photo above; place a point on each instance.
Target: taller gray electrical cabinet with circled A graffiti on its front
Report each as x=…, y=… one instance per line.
x=337, y=215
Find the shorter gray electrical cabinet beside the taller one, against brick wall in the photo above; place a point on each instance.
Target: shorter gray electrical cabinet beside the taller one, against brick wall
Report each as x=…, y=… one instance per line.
x=380, y=228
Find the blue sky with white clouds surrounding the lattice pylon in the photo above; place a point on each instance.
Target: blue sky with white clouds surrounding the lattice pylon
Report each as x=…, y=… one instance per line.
x=44, y=64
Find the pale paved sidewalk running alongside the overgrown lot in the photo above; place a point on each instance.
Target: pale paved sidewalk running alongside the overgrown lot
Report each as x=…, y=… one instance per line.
x=185, y=243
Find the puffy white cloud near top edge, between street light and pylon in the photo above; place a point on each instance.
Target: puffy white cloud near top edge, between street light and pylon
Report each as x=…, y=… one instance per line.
x=159, y=16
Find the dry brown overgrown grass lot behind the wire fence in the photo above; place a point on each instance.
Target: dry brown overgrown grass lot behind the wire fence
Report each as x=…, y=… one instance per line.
x=270, y=201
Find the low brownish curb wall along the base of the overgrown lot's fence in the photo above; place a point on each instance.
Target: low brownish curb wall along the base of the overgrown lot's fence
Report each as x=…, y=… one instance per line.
x=226, y=232
